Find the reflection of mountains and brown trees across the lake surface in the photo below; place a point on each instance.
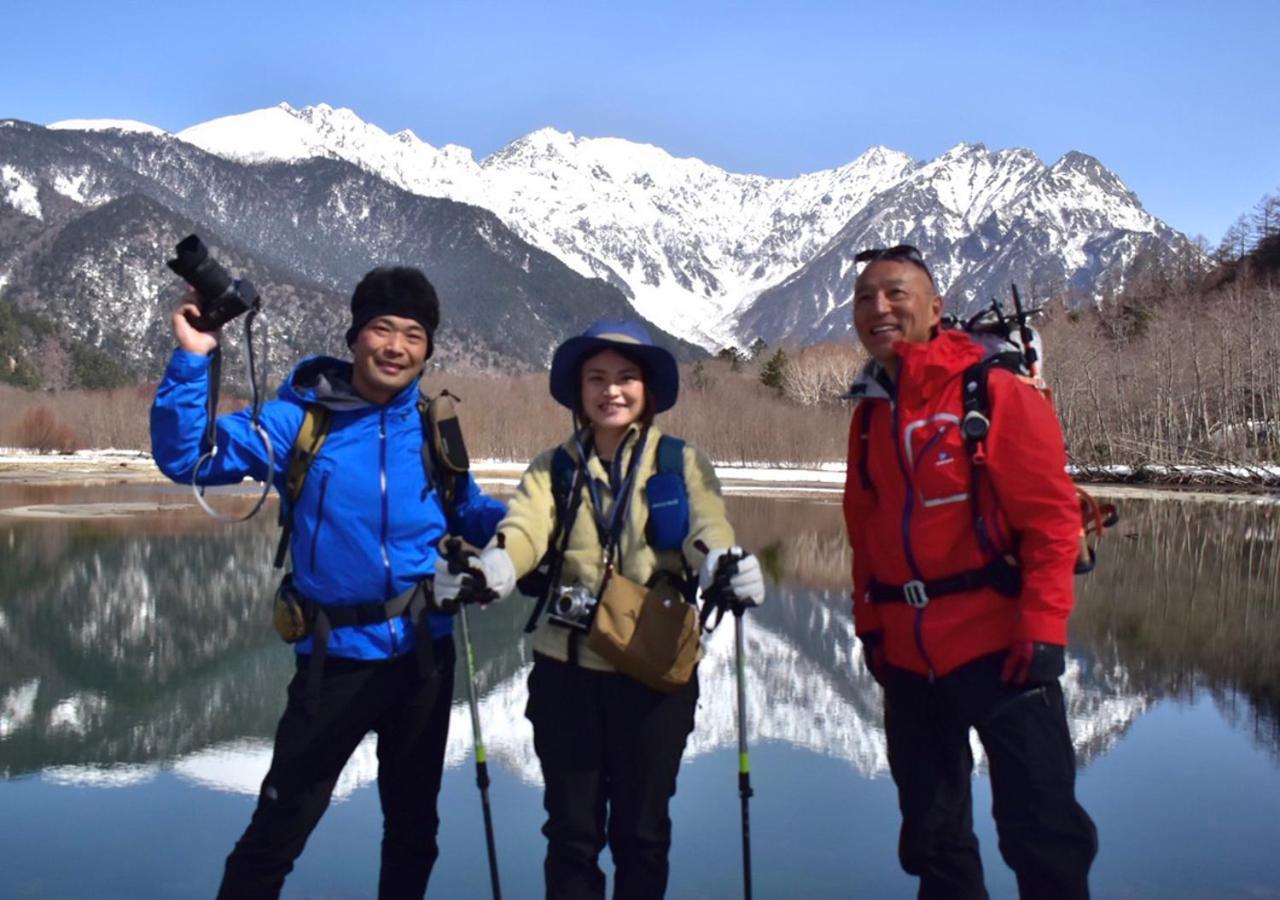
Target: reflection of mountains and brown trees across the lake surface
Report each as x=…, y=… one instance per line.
x=134, y=645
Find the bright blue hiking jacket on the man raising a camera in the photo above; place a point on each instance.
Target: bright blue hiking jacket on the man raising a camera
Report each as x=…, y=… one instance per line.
x=367, y=526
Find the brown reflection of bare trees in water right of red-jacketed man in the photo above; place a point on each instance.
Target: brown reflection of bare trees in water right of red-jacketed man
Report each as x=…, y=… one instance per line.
x=1188, y=599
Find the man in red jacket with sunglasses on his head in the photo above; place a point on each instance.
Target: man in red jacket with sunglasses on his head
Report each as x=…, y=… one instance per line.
x=963, y=584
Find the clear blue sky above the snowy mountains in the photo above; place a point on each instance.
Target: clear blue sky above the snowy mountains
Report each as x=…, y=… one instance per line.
x=1180, y=99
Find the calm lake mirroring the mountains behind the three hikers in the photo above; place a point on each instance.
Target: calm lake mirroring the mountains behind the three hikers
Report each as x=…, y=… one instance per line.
x=140, y=686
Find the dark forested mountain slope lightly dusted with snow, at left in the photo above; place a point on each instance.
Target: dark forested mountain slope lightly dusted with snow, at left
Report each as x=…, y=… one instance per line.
x=89, y=216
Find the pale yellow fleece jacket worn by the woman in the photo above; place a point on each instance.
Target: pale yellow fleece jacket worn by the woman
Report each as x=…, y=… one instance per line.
x=531, y=518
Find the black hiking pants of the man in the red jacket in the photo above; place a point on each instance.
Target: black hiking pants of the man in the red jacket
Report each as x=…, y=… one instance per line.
x=1046, y=838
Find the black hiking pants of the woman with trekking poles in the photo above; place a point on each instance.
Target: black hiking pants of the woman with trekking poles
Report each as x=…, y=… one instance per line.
x=610, y=750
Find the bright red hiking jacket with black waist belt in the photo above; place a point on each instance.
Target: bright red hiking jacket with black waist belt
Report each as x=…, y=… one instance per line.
x=917, y=522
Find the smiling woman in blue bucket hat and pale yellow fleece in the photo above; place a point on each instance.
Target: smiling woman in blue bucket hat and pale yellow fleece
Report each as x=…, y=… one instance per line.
x=610, y=747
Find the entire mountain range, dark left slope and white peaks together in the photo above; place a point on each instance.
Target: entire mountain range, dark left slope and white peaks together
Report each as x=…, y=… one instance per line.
x=554, y=230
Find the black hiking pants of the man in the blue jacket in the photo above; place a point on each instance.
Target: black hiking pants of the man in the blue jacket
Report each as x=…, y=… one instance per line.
x=410, y=715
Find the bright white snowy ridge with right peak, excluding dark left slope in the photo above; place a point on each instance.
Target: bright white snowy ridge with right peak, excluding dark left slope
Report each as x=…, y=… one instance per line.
x=719, y=258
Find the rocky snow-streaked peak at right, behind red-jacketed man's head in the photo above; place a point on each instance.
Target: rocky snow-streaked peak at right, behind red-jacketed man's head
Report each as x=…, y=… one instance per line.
x=984, y=220
